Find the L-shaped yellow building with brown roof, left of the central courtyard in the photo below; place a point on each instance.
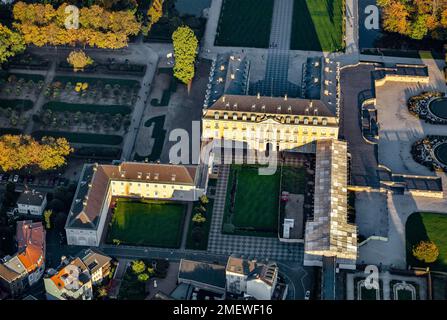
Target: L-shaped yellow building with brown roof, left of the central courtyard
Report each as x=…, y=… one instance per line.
x=99, y=183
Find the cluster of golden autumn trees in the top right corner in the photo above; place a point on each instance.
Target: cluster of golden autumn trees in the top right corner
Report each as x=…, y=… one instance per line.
x=415, y=18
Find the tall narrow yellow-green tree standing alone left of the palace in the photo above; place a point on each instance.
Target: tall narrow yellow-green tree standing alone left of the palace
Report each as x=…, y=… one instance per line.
x=185, y=52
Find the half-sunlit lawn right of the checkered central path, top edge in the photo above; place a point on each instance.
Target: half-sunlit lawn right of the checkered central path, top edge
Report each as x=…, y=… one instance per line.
x=317, y=25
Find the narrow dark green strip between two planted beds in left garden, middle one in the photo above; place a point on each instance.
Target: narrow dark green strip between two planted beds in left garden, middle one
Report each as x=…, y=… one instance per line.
x=75, y=107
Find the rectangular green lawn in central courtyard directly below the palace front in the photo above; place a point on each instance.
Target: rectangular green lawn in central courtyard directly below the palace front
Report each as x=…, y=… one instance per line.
x=256, y=201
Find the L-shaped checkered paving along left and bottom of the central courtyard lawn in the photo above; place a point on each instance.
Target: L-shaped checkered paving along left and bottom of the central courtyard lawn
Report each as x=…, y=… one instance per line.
x=251, y=247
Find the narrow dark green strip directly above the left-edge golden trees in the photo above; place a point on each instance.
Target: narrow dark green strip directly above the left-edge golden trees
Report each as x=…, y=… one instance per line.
x=76, y=137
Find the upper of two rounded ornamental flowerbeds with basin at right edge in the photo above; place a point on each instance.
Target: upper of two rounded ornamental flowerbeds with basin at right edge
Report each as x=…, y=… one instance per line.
x=429, y=106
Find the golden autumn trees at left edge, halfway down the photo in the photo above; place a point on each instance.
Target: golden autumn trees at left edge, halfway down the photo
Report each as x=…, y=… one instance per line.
x=21, y=151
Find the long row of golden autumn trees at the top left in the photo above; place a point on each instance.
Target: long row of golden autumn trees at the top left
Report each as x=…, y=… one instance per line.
x=41, y=25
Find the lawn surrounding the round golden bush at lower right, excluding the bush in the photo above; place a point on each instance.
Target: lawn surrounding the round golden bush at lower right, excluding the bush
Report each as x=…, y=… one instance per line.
x=427, y=226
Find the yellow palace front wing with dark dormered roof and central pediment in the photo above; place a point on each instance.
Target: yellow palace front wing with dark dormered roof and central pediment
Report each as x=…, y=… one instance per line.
x=257, y=121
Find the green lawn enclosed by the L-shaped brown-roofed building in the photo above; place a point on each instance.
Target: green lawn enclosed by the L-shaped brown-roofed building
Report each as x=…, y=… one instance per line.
x=147, y=223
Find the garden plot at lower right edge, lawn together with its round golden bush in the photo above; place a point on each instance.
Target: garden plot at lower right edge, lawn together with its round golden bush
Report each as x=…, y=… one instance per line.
x=426, y=243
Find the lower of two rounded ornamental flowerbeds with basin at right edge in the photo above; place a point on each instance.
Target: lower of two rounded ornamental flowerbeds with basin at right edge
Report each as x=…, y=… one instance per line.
x=431, y=152
